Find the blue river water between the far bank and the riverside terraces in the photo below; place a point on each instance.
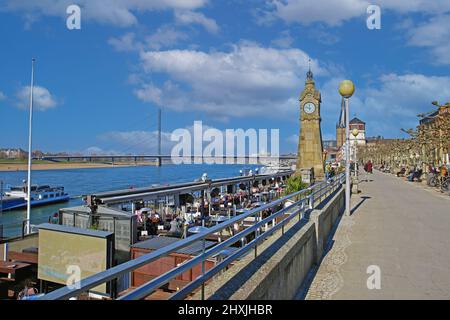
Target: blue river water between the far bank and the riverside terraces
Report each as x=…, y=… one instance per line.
x=78, y=182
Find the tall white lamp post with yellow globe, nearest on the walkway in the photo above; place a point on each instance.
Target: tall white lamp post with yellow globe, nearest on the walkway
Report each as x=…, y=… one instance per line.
x=346, y=90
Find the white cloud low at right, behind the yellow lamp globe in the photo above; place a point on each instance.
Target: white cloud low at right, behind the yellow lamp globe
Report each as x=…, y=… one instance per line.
x=390, y=106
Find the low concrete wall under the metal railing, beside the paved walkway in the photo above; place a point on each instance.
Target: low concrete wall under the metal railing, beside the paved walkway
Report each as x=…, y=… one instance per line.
x=283, y=261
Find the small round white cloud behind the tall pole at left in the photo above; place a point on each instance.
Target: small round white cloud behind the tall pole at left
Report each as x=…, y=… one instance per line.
x=42, y=98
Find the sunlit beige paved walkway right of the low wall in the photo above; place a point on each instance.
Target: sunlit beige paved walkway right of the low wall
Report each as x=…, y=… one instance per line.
x=398, y=226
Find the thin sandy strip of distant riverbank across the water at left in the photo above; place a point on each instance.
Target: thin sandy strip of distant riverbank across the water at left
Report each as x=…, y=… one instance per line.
x=47, y=165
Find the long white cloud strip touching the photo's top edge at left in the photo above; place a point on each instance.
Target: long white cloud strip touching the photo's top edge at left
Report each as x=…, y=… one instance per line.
x=117, y=12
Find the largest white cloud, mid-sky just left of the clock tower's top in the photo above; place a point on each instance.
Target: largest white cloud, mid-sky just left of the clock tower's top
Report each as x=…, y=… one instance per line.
x=249, y=80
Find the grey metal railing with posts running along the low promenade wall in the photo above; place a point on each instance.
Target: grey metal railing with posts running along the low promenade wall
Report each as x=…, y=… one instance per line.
x=304, y=200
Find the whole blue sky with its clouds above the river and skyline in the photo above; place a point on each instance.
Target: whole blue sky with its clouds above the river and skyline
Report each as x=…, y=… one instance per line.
x=230, y=63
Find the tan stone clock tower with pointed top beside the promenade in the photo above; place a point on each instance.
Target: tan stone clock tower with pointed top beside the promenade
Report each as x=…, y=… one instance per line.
x=310, y=148
